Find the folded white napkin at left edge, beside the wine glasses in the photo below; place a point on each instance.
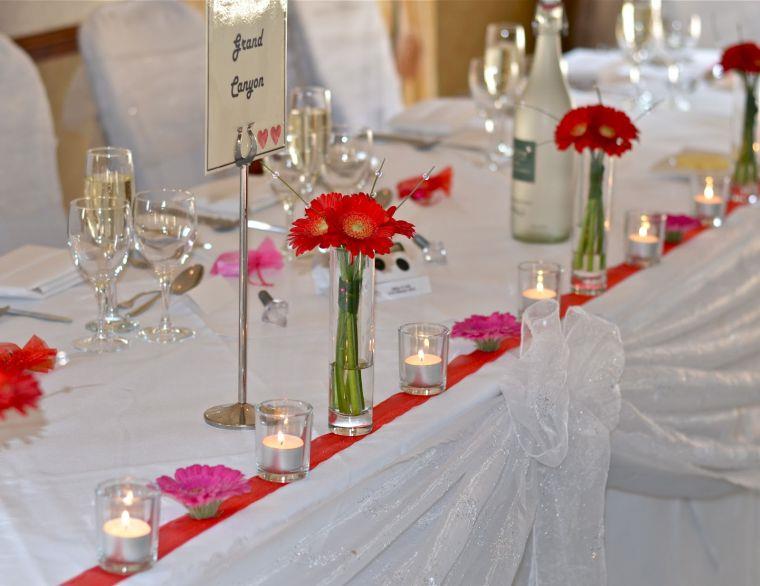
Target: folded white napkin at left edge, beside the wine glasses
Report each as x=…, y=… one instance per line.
x=36, y=272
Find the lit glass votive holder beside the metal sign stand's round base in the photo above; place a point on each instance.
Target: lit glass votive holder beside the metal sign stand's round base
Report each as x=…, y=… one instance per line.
x=283, y=439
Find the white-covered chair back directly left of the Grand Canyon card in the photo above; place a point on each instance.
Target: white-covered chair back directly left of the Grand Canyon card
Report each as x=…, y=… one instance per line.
x=145, y=61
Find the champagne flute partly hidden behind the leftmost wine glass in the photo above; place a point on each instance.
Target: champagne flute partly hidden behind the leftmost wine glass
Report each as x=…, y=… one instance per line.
x=109, y=173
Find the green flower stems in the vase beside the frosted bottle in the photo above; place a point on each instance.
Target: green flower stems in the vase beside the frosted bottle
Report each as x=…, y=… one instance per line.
x=589, y=253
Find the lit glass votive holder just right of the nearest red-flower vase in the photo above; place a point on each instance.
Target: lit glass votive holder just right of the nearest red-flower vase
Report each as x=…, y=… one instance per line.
x=423, y=357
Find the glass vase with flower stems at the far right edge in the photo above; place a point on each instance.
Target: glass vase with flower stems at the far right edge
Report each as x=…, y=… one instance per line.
x=744, y=180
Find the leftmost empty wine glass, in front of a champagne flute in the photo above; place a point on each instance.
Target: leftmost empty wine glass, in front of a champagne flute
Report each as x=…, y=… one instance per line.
x=99, y=236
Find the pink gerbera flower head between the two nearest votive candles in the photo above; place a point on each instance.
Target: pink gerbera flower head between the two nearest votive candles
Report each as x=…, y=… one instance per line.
x=202, y=488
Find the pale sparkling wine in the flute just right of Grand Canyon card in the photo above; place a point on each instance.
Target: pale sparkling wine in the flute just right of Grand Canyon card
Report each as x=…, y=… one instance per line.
x=308, y=135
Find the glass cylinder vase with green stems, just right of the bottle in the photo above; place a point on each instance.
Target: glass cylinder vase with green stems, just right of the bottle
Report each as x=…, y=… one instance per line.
x=592, y=223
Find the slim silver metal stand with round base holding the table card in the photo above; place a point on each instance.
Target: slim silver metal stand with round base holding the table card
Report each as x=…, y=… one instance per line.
x=240, y=415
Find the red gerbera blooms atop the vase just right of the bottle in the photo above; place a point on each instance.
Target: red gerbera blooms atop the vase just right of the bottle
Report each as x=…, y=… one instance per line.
x=596, y=127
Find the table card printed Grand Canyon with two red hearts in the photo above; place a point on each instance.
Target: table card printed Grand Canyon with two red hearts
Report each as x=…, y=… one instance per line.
x=245, y=76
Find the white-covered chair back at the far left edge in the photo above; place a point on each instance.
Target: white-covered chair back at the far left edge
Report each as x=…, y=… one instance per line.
x=31, y=209
